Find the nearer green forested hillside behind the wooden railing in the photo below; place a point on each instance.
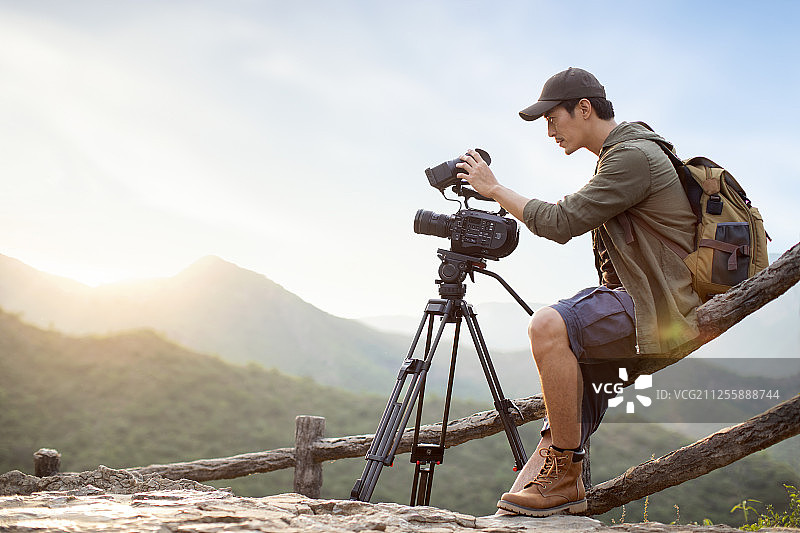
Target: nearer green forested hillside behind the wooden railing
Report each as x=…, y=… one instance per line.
x=134, y=399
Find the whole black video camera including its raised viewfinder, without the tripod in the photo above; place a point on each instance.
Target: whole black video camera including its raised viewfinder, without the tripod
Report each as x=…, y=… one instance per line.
x=471, y=231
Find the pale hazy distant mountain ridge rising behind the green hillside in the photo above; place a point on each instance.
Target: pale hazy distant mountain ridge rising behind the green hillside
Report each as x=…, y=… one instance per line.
x=216, y=307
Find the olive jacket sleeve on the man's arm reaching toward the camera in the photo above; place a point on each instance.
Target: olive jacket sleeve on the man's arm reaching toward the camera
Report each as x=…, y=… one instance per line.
x=622, y=181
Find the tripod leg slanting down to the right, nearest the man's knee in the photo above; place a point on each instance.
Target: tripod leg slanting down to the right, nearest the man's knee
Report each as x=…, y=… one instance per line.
x=503, y=405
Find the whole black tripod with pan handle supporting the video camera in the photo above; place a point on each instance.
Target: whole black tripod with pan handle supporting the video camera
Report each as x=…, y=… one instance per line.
x=452, y=308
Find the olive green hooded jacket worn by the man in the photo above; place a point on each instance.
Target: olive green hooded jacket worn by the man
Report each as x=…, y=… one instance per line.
x=633, y=174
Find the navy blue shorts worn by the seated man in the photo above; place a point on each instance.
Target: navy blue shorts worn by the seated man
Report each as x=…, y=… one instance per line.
x=602, y=333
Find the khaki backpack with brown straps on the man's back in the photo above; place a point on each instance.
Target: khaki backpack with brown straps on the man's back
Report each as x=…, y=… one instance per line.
x=730, y=240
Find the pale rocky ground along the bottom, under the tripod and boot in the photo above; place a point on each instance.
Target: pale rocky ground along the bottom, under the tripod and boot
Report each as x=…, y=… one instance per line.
x=107, y=500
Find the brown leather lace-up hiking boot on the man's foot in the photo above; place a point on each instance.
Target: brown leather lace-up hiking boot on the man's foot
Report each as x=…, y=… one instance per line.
x=557, y=487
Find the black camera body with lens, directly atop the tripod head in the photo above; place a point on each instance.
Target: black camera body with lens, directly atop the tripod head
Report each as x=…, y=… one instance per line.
x=471, y=231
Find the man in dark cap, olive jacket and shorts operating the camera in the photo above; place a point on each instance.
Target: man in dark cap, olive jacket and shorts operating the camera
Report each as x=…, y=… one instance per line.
x=645, y=304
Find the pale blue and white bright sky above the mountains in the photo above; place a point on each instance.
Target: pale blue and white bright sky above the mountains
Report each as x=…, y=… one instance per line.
x=291, y=138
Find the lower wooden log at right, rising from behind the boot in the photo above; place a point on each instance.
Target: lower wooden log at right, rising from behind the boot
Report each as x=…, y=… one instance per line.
x=715, y=451
